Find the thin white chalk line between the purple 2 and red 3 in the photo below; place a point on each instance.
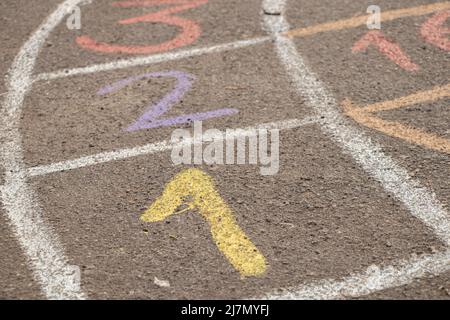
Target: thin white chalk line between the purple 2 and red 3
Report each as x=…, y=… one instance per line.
x=151, y=59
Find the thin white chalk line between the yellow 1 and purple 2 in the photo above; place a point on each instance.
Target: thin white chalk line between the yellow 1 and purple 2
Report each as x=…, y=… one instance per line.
x=151, y=148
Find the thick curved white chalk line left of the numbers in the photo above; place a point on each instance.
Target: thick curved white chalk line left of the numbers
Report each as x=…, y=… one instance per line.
x=40, y=244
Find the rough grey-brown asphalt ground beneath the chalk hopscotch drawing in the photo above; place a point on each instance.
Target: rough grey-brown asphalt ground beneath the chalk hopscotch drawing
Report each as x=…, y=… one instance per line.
x=323, y=217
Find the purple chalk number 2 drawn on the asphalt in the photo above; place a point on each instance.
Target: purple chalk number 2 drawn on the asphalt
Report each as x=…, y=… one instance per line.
x=152, y=116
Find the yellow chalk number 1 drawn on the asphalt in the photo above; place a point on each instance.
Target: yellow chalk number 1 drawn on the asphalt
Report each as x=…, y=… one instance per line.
x=203, y=197
